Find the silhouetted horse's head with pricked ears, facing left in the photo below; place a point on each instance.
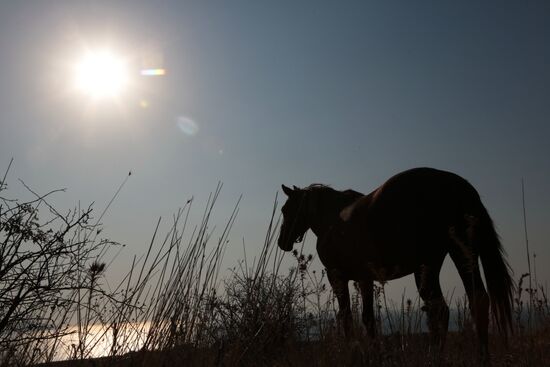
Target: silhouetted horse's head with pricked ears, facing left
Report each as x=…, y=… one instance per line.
x=295, y=221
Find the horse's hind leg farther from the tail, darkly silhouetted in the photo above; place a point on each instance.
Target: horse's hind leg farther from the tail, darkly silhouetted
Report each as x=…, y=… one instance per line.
x=427, y=282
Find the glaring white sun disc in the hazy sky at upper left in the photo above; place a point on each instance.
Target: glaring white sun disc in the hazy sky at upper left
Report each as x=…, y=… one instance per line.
x=101, y=74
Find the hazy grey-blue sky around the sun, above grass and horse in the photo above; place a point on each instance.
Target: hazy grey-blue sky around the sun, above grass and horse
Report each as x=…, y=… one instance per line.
x=263, y=93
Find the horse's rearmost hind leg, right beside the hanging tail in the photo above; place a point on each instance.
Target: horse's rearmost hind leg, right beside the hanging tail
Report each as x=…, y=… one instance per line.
x=466, y=261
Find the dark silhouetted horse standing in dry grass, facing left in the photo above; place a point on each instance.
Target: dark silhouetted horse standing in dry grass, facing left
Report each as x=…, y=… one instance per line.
x=408, y=225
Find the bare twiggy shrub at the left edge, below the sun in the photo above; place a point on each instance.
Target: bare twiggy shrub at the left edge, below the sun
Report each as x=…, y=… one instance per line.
x=48, y=271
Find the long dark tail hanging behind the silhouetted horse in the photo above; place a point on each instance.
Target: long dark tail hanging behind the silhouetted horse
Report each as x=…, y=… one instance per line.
x=500, y=284
